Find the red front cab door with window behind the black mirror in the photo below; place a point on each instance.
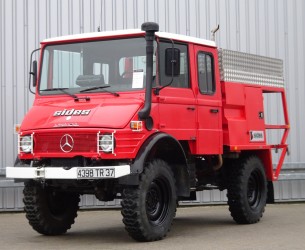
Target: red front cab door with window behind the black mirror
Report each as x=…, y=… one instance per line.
x=177, y=102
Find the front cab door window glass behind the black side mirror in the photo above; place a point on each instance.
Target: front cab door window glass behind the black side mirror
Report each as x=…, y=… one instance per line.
x=182, y=80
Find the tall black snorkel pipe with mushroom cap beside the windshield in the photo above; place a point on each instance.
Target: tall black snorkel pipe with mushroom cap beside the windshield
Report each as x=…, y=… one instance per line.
x=150, y=28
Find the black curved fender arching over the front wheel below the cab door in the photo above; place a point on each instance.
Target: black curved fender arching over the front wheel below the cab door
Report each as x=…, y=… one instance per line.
x=165, y=147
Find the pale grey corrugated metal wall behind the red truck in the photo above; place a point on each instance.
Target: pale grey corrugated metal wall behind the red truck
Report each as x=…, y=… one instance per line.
x=273, y=28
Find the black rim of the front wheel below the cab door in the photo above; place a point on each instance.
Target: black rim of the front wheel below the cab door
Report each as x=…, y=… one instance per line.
x=157, y=201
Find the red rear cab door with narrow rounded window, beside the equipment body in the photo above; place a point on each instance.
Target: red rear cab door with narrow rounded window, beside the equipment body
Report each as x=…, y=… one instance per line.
x=209, y=104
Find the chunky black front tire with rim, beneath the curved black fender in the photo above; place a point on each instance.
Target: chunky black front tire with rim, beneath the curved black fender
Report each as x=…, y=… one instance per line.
x=149, y=208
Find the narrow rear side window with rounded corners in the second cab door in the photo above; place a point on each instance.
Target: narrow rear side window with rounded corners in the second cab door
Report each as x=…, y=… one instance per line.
x=206, y=73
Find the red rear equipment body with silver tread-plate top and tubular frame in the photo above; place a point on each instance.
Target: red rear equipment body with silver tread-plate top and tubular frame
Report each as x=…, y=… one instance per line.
x=245, y=79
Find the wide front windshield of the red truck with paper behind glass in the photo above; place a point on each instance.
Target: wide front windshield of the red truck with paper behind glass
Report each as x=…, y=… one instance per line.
x=98, y=66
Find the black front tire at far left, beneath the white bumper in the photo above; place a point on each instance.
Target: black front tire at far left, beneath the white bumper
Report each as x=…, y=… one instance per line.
x=49, y=212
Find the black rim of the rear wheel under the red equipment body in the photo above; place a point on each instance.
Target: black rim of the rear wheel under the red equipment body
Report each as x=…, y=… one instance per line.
x=255, y=189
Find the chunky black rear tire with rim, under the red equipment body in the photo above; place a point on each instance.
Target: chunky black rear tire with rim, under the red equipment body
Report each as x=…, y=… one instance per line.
x=247, y=190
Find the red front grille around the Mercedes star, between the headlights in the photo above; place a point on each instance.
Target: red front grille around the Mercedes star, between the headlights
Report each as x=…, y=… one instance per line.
x=50, y=143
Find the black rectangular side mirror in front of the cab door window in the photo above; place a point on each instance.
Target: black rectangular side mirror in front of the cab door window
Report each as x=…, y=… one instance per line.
x=172, y=62
